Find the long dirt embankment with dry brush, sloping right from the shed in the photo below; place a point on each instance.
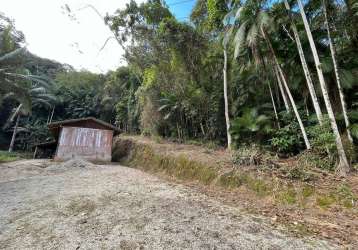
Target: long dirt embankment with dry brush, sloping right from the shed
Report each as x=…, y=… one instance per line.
x=324, y=206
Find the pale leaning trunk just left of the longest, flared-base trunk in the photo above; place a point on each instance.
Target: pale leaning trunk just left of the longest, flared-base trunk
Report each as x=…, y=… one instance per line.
x=311, y=88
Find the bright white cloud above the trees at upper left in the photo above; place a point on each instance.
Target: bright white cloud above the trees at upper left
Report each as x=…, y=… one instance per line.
x=50, y=33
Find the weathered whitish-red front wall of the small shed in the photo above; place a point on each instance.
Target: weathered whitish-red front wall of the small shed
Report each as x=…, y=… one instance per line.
x=88, y=143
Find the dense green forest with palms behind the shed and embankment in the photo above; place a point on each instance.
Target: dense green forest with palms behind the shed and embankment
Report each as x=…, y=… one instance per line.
x=280, y=75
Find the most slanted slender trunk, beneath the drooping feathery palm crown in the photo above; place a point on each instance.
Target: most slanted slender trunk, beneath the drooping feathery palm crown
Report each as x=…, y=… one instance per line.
x=298, y=117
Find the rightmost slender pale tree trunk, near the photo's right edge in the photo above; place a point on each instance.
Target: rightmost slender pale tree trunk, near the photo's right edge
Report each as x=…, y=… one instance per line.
x=335, y=65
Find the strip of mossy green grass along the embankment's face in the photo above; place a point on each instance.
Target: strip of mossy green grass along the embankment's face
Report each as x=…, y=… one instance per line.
x=181, y=167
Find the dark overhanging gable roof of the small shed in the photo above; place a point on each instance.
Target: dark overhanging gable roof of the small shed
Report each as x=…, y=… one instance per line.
x=88, y=122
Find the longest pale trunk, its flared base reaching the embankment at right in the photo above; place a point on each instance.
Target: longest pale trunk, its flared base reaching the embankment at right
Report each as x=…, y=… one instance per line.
x=343, y=166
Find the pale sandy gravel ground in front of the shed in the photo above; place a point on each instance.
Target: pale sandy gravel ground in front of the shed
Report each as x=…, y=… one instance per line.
x=49, y=206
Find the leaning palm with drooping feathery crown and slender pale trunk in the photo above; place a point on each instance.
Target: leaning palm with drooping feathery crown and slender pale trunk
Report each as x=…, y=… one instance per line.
x=250, y=26
